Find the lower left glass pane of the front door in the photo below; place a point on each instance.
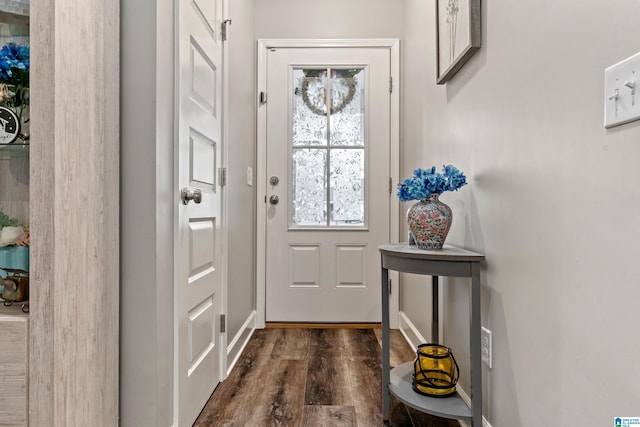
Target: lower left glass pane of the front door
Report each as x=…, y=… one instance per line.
x=309, y=187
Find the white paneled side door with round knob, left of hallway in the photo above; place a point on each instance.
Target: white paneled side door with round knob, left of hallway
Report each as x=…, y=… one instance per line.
x=198, y=286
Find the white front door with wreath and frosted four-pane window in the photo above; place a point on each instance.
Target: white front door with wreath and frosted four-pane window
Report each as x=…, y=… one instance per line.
x=328, y=182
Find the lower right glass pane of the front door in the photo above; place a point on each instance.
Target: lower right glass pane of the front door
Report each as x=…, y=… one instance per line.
x=347, y=187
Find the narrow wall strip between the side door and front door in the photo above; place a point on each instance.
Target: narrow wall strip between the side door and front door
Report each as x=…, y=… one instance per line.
x=241, y=145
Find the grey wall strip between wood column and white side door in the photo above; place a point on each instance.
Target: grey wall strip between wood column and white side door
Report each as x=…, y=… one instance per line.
x=147, y=203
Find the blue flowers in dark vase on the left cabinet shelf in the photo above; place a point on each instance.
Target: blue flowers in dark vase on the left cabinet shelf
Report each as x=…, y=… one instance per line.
x=14, y=74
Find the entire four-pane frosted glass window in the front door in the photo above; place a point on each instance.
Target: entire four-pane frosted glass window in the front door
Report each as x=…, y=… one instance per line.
x=328, y=150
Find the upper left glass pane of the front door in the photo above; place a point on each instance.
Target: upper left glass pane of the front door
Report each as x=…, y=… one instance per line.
x=309, y=112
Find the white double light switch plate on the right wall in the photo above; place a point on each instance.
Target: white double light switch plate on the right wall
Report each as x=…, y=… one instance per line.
x=622, y=92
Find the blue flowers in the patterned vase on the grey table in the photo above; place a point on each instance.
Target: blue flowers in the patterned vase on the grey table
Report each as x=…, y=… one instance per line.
x=427, y=181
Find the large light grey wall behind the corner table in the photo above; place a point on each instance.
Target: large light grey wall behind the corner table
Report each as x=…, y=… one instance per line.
x=552, y=201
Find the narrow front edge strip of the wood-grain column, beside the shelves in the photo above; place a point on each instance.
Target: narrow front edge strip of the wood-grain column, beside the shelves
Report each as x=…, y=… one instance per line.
x=42, y=105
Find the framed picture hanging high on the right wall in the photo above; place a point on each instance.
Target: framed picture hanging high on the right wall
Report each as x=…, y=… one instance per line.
x=458, y=35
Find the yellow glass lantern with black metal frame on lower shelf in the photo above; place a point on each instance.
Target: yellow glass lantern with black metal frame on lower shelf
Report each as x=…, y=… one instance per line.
x=435, y=371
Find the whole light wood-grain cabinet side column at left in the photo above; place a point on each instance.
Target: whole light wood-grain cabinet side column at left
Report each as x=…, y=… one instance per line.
x=74, y=213
